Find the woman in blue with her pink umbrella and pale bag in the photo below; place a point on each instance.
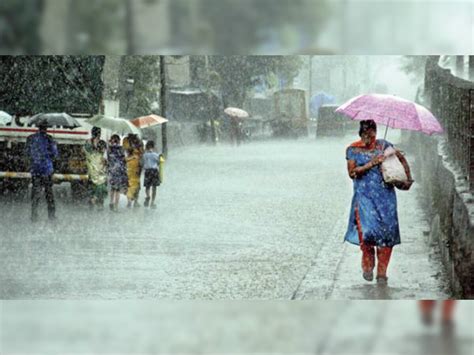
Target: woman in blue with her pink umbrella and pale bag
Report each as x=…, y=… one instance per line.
x=373, y=219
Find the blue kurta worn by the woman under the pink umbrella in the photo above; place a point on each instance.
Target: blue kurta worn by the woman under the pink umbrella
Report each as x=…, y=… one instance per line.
x=376, y=201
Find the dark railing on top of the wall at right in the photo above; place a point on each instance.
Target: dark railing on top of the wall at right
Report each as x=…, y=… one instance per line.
x=451, y=100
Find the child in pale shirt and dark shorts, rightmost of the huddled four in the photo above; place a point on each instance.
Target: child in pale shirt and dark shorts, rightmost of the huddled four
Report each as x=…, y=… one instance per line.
x=151, y=161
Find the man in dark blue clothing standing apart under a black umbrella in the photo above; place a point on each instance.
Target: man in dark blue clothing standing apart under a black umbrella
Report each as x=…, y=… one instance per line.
x=42, y=151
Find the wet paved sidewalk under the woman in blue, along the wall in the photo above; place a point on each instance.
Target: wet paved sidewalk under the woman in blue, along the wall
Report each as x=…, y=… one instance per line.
x=415, y=271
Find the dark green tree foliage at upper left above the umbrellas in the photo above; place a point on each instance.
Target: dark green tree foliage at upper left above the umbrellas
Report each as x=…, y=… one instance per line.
x=34, y=84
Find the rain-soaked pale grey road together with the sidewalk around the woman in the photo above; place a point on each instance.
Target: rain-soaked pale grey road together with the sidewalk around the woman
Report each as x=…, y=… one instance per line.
x=264, y=221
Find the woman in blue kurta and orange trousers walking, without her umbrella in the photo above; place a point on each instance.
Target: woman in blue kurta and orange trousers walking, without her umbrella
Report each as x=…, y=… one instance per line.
x=373, y=221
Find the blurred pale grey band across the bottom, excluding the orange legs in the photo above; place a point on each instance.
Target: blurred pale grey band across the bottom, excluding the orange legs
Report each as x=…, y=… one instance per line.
x=224, y=327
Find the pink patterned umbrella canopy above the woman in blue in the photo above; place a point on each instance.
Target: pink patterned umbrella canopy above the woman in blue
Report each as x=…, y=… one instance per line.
x=391, y=111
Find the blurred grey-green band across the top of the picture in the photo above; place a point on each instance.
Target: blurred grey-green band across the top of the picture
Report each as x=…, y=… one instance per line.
x=237, y=27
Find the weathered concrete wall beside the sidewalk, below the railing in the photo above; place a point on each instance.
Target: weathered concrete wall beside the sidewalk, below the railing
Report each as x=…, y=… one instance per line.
x=450, y=208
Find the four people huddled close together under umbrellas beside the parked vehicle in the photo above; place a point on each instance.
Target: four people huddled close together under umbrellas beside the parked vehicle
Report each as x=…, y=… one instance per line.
x=119, y=167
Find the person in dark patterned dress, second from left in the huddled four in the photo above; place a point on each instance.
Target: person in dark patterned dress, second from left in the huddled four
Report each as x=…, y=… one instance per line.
x=117, y=169
